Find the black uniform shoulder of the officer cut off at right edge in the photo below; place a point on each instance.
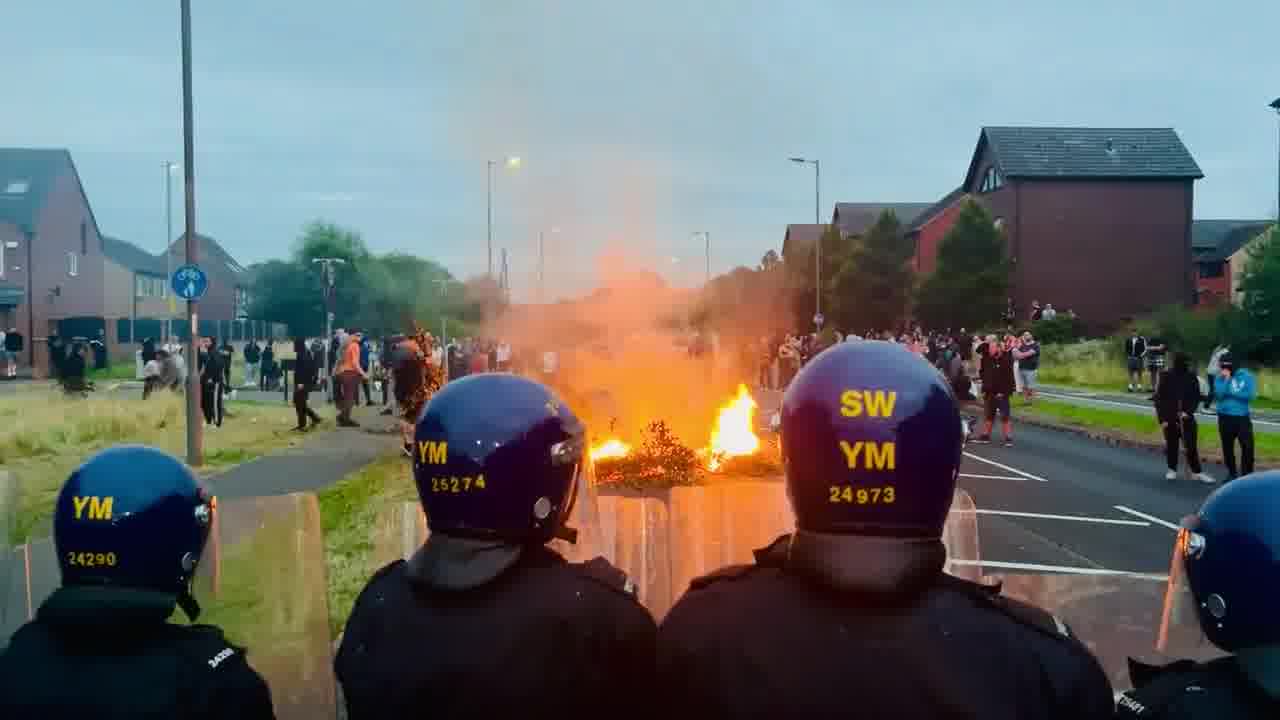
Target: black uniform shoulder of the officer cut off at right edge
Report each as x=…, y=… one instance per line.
x=1195, y=691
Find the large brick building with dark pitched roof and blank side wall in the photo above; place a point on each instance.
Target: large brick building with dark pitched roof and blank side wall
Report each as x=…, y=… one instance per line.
x=1099, y=220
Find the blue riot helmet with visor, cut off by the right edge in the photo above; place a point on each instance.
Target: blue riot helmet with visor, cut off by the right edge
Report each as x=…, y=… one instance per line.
x=1227, y=567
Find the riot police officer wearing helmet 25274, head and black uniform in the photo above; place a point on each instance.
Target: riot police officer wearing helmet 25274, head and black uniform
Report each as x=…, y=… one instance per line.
x=486, y=621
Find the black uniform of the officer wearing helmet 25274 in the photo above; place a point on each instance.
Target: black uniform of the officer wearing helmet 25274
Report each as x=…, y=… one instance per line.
x=546, y=628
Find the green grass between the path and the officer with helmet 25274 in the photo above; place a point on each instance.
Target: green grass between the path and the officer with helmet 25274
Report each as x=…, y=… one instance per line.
x=354, y=513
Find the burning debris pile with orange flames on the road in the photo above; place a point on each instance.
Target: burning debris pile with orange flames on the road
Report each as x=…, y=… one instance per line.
x=662, y=461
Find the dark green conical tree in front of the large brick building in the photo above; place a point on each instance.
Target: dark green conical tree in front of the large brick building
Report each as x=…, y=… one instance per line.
x=971, y=285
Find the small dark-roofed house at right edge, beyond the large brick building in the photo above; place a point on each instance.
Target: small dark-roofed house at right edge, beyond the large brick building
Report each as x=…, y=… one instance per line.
x=1220, y=250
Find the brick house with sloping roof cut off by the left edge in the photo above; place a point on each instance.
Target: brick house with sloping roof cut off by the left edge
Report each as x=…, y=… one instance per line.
x=52, y=270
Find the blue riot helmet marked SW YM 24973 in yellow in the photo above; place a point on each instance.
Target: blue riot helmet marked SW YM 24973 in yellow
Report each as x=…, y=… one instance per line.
x=872, y=441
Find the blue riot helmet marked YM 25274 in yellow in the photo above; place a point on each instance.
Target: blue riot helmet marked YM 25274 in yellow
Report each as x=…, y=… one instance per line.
x=499, y=461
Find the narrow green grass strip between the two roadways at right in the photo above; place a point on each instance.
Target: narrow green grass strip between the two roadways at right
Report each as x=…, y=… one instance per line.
x=1136, y=427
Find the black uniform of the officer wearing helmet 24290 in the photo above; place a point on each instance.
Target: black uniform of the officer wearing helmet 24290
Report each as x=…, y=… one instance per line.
x=108, y=653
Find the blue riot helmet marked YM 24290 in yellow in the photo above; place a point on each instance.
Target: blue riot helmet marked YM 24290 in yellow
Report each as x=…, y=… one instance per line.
x=134, y=517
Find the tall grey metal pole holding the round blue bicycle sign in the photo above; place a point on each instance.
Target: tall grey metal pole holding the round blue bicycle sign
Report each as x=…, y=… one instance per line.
x=195, y=427
